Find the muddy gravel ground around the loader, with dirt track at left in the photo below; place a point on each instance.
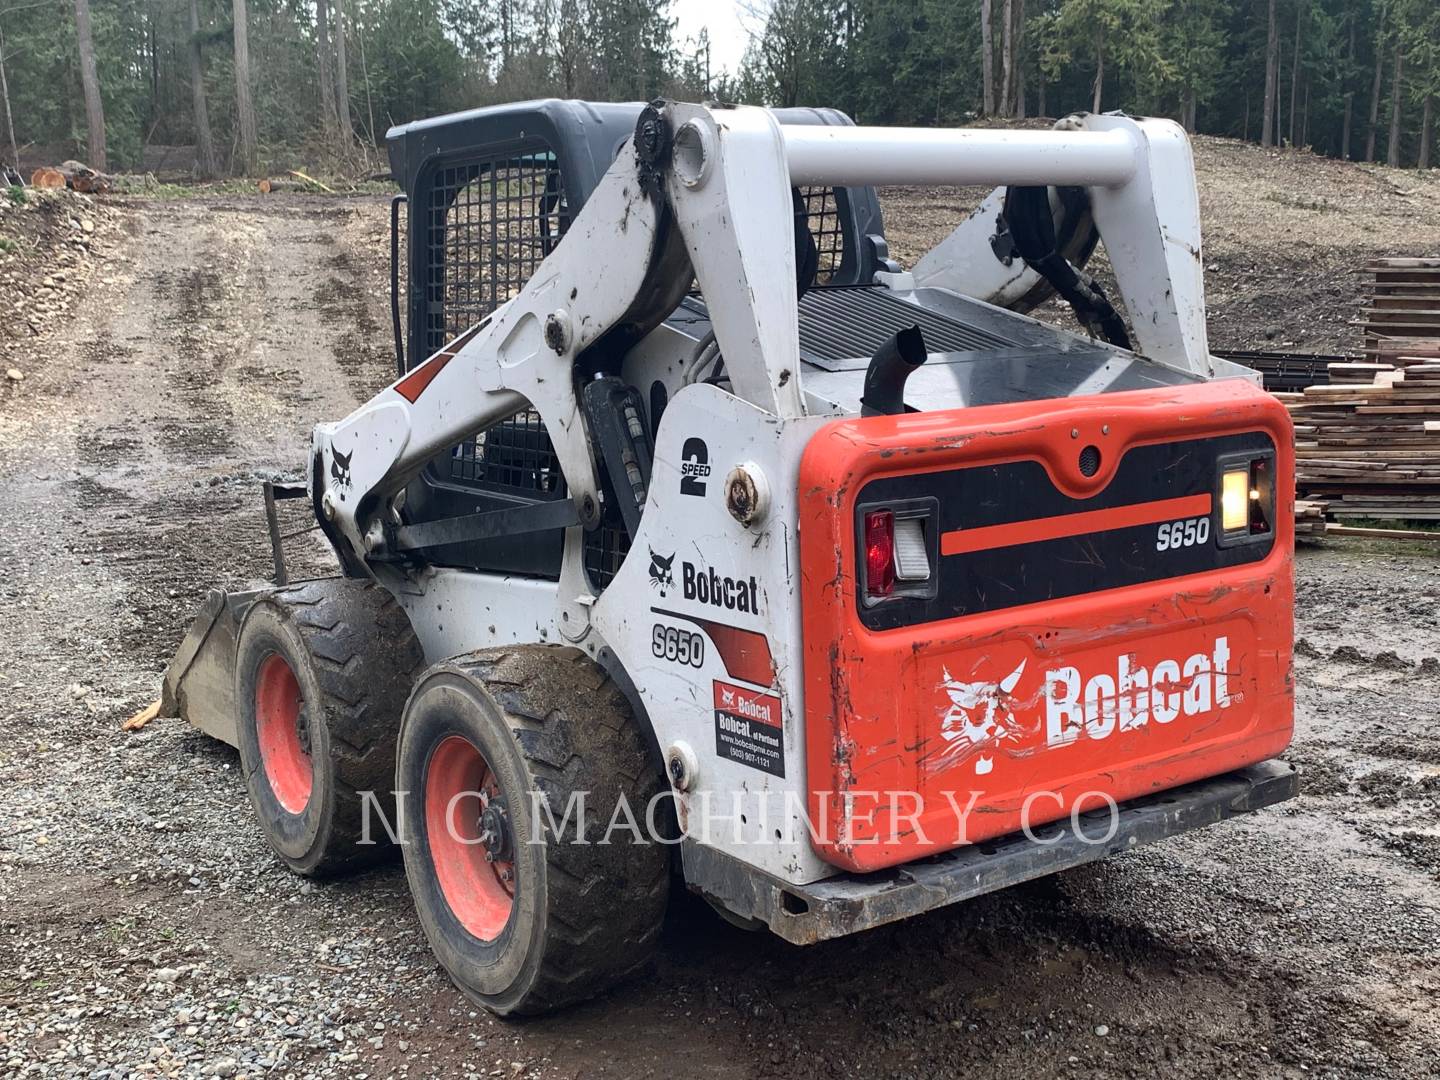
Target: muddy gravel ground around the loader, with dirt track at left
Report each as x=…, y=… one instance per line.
x=146, y=930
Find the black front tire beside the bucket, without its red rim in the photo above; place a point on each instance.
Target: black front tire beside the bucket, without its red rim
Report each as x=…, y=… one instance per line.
x=356, y=660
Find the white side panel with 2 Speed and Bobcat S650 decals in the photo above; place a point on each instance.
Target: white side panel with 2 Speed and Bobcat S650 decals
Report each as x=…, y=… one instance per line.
x=701, y=531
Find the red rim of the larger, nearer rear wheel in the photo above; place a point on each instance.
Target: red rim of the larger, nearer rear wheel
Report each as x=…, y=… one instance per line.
x=479, y=889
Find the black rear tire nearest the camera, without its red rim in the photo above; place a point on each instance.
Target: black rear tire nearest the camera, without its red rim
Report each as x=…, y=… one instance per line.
x=584, y=918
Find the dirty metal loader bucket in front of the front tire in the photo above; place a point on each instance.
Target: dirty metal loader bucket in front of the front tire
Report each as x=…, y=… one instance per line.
x=201, y=680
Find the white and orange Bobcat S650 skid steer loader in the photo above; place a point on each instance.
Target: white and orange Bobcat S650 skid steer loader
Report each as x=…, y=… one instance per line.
x=698, y=532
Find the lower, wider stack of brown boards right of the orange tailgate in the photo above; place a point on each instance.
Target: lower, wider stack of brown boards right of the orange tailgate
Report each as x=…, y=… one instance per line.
x=1369, y=443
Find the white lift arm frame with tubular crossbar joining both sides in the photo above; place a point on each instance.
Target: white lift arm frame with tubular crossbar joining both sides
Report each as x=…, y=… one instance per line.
x=706, y=192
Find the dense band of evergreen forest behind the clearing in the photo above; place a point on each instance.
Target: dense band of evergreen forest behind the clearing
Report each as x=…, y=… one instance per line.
x=1344, y=77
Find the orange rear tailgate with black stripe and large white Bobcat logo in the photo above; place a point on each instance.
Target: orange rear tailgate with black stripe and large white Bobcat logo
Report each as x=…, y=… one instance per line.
x=1088, y=630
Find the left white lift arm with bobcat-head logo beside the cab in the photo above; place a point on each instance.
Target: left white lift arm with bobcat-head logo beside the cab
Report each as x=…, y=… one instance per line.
x=618, y=271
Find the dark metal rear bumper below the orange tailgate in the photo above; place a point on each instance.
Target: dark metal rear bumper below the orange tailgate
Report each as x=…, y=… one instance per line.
x=845, y=905
